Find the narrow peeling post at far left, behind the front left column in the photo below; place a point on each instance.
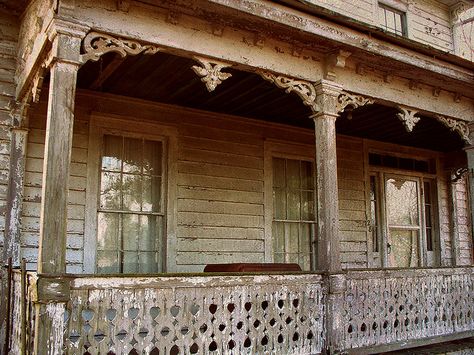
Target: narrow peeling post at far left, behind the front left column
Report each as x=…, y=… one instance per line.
x=19, y=140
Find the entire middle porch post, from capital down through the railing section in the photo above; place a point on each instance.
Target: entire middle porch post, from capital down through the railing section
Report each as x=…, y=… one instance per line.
x=328, y=258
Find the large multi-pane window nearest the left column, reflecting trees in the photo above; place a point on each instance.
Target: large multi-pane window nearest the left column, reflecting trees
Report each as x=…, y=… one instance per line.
x=130, y=215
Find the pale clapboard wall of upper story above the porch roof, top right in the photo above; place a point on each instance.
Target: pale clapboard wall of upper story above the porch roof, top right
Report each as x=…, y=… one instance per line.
x=427, y=21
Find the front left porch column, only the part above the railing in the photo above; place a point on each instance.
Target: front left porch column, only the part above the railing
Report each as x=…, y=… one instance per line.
x=57, y=156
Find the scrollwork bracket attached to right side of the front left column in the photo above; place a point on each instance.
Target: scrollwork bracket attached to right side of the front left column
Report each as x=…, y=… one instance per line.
x=97, y=44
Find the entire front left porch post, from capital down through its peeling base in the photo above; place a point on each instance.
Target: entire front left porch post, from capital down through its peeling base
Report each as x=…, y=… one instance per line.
x=64, y=63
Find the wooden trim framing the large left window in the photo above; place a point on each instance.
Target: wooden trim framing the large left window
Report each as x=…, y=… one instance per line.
x=101, y=124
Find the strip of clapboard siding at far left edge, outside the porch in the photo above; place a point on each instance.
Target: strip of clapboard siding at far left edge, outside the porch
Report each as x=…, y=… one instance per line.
x=9, y=28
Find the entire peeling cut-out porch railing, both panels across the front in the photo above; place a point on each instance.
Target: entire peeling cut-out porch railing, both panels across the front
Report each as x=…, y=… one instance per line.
x=362, y=311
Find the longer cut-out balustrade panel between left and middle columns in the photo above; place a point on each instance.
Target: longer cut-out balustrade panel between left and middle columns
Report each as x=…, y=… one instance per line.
x=273, y=314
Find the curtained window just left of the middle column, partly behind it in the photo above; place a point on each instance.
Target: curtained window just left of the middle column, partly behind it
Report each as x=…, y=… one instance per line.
x=293, y=212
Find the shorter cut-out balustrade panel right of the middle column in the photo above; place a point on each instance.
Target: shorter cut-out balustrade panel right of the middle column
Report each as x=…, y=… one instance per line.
x=394, y=306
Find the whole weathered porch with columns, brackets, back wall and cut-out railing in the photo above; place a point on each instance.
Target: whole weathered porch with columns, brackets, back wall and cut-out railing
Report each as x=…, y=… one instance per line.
x=215, y=178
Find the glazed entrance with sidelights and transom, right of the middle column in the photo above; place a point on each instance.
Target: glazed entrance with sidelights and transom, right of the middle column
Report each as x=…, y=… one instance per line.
x=402, y=213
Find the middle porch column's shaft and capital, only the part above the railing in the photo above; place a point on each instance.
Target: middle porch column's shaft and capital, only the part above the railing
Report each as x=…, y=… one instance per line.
x=328, y=258
